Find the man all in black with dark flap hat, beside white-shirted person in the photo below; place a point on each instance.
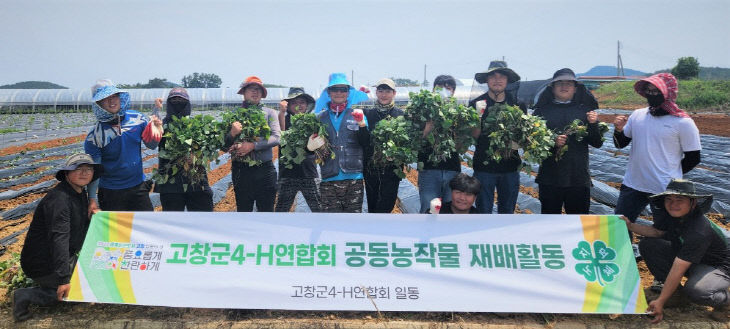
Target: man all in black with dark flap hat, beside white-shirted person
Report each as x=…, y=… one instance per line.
x=565, y=182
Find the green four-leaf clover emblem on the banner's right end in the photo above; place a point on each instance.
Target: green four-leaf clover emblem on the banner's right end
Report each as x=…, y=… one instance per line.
x=599, y=265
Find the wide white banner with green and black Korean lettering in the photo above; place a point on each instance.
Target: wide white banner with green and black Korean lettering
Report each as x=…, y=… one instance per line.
x=363, y=262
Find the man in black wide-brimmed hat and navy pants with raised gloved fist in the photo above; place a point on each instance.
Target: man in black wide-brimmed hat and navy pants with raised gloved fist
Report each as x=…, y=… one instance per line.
x=502, y=176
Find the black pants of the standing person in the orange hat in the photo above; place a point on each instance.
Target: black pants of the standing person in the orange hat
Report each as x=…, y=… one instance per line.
x=254, y=184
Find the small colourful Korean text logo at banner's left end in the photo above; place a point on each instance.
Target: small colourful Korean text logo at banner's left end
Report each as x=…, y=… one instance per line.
x=120, y=256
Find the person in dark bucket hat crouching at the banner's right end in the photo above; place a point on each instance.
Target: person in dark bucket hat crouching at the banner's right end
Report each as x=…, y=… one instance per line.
x=683, y=242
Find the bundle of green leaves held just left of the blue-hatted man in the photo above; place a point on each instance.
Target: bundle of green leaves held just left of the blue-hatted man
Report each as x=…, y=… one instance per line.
x=294, y=140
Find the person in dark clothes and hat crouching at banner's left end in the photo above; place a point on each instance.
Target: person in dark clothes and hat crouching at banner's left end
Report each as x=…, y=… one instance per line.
x=55, y=236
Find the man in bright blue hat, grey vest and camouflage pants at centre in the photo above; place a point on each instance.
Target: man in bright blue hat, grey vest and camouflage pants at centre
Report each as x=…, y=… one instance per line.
x=341, y=188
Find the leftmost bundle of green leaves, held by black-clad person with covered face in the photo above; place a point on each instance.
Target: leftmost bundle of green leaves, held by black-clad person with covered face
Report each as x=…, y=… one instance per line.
x=191, y=143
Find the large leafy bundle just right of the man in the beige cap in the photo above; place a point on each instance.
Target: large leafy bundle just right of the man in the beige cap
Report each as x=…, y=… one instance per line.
x=452, y=124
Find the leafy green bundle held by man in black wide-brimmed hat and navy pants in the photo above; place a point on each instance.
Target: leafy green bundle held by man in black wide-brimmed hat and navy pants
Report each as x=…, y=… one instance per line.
x=506, y=125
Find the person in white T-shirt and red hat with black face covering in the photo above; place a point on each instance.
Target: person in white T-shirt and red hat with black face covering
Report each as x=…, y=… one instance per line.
x=665, y=144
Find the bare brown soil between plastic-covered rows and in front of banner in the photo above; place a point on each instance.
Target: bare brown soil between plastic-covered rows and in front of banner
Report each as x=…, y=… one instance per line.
x=692, y=315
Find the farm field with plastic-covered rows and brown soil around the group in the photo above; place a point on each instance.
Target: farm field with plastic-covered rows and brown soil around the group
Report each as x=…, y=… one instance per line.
x=28, y=160
